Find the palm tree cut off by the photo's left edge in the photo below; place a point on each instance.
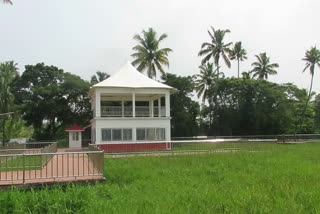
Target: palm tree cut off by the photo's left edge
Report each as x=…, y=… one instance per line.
x=8, y=71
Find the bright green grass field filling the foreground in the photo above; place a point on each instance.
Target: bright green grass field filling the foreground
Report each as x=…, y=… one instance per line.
x=272, y=179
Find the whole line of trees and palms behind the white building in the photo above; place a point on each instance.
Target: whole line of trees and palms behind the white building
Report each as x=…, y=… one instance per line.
x=45, y=99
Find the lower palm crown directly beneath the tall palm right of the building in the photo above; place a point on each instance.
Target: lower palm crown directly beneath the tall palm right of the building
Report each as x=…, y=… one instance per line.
x=205, y=80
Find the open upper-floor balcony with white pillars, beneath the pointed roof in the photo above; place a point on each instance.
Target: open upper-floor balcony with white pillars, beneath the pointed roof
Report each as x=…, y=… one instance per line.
x=140, y=104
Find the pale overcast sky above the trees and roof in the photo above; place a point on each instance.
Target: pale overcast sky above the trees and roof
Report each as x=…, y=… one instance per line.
x=83, y=36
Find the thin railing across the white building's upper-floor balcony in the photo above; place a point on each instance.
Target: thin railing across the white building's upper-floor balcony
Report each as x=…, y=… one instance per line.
x=141, y=111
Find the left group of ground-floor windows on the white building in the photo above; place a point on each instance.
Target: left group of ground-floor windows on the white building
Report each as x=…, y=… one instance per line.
x=116, y=134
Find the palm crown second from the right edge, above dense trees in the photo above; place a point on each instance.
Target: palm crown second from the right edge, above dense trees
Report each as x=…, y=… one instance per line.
x=263, y=68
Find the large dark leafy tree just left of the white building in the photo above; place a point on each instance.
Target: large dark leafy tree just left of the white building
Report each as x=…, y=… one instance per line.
x=51, y=99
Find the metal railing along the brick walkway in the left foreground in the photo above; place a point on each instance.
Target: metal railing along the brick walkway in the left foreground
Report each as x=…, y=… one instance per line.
x=50, y=165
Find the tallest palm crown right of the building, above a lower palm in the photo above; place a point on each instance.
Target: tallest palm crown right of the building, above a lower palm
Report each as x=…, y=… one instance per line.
x=216, y=49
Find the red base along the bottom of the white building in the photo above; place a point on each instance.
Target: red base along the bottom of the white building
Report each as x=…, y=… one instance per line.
x=135, y=147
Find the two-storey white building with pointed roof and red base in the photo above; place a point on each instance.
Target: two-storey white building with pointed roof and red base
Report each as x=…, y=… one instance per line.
x=130, y=108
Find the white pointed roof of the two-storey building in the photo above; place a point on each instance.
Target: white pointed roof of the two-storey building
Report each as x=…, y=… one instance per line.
x=129, y=77
